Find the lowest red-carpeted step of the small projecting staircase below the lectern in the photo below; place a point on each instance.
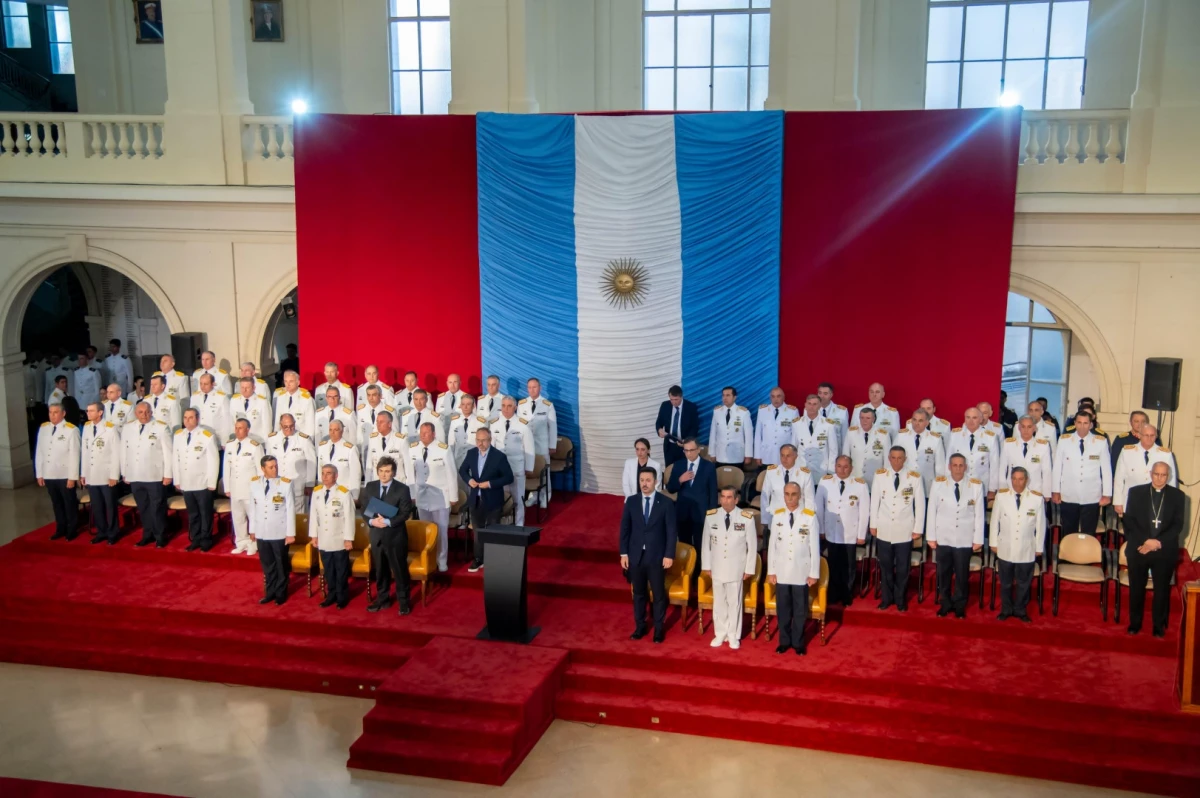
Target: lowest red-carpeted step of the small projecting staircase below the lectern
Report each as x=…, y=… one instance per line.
x=431, y=760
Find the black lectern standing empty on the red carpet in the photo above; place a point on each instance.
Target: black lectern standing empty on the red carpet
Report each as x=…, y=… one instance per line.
x=505, y=583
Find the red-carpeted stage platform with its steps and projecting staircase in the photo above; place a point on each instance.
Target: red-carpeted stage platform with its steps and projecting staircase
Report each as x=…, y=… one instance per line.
x=1072, y=698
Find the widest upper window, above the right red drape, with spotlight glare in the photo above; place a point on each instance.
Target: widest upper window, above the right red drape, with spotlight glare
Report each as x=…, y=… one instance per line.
x=1030, y=51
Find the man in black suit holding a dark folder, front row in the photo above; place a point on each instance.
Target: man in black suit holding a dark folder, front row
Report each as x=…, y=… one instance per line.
x=389, y=535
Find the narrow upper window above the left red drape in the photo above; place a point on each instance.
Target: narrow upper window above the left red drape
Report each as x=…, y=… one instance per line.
x=421, y=56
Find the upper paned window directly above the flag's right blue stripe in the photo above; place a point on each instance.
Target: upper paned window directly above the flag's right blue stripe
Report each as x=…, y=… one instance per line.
x=705, y=55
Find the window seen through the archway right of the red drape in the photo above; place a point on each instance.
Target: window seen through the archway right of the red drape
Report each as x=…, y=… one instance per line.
x=1037, y=357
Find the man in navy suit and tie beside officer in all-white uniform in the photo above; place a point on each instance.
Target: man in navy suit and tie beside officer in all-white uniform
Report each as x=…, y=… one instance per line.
x=647, y=550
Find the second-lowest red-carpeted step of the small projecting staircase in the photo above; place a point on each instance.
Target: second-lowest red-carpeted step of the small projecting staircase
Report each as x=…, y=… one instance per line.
x=452, y=729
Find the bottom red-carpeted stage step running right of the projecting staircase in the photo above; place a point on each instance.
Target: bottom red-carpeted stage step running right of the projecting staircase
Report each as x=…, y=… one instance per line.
x=890, y=739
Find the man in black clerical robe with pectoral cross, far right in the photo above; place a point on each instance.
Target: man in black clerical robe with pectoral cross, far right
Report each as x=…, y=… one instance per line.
x=1154, y=521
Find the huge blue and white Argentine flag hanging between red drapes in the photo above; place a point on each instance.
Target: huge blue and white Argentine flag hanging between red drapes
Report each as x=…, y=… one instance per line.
x=695, y=200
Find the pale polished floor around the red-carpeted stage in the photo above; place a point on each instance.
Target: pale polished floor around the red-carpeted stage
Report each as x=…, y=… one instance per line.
x=201, y=740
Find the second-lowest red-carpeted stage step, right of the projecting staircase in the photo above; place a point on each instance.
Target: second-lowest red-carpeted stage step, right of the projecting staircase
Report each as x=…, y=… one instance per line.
x=1030, y=724
